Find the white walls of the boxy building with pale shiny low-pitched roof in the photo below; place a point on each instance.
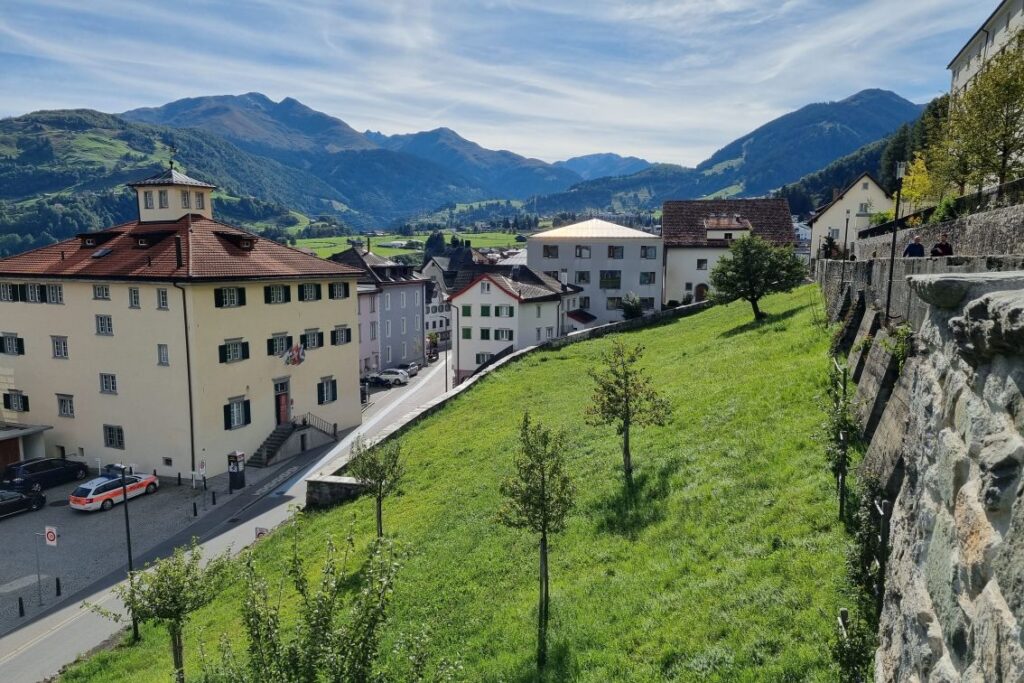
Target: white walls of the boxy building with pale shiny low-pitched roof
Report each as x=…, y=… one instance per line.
x=631, y=267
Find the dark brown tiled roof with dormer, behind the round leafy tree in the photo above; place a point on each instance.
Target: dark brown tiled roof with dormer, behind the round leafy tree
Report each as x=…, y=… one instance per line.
x=686, y=224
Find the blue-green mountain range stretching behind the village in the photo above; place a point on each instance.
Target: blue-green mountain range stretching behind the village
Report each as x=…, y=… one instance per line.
x=65, y=170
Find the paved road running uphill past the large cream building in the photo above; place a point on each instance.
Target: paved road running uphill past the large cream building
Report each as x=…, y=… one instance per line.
x=41, y=649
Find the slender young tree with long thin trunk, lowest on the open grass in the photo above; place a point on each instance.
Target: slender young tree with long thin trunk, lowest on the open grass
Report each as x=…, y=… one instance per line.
x=539, y=498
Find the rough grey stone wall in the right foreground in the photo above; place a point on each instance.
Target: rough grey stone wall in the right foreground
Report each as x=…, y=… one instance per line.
x=955, y=587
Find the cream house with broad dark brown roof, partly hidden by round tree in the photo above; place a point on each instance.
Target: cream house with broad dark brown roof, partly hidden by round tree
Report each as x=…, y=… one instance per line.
x=698, y=233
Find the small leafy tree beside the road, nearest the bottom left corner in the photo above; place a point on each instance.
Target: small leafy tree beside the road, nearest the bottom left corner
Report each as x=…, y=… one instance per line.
x=169, y=591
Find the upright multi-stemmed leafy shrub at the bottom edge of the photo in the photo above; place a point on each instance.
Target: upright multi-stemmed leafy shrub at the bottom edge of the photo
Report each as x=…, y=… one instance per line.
x=327, y=644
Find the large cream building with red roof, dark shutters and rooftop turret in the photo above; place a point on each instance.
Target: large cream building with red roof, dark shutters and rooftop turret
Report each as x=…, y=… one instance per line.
x=170, y=341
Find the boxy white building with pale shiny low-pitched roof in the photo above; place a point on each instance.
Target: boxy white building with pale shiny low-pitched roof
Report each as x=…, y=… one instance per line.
x=607, y=262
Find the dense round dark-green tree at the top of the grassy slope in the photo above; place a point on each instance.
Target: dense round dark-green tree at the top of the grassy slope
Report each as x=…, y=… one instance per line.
x=754, y=269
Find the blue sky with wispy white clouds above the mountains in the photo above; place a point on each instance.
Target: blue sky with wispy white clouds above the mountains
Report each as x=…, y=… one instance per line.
x=668, y=80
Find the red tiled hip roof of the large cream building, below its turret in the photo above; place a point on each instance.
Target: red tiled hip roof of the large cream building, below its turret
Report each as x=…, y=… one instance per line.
x=210, y=251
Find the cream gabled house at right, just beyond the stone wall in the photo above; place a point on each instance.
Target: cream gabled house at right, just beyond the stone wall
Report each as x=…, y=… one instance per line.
x=861, y=201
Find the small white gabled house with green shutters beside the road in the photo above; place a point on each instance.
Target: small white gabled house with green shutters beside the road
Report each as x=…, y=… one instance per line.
x=505, y=309
